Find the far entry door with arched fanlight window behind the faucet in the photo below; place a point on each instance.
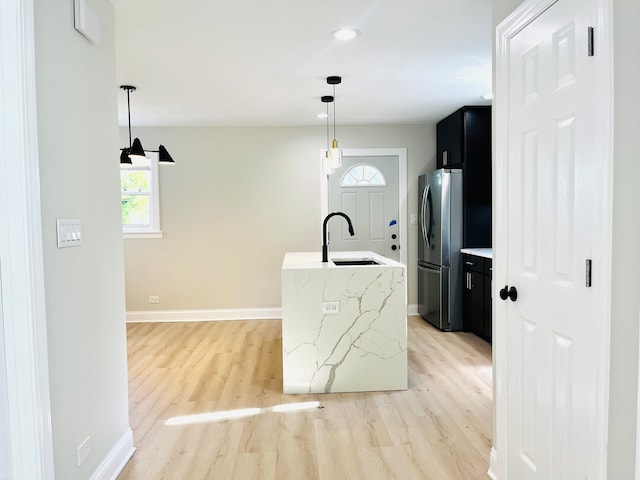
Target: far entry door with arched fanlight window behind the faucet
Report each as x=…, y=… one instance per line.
x=366, y=189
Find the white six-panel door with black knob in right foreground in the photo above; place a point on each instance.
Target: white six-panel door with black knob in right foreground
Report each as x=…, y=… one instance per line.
x=555, y=326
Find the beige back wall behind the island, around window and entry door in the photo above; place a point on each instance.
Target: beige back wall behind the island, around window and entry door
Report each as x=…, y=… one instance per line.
x=236, y=200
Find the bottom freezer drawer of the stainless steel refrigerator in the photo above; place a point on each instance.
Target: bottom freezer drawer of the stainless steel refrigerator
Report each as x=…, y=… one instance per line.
x=438, y=298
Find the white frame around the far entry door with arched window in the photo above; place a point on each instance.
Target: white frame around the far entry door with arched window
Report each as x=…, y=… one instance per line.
x=401, y=156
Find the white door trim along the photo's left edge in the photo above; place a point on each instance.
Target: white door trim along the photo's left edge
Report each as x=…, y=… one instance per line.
x=22, y=299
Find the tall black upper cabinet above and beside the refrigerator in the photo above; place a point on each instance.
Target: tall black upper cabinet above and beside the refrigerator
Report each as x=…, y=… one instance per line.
x=463, y=140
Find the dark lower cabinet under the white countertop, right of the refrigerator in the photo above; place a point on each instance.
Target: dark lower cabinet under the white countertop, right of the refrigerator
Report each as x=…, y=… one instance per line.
x=476, y=299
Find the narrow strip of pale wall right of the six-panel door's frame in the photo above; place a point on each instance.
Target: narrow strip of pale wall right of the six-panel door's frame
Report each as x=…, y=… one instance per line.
x=626, y=231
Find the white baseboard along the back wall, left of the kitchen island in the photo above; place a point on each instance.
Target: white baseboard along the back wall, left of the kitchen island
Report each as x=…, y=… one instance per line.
x=204, y=315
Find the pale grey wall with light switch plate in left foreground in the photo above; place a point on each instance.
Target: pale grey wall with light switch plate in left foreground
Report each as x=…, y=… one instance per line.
x=78, y=139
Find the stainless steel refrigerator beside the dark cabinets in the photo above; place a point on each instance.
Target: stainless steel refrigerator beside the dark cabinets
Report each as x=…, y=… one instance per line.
x=439, y=258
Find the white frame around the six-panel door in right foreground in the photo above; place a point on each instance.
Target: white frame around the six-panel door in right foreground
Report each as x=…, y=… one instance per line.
x=519, y=19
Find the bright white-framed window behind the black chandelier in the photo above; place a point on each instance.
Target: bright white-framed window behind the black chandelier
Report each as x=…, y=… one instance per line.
x=139, y=199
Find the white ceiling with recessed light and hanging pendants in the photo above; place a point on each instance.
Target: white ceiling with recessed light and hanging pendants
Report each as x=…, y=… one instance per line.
x=265, y=62
